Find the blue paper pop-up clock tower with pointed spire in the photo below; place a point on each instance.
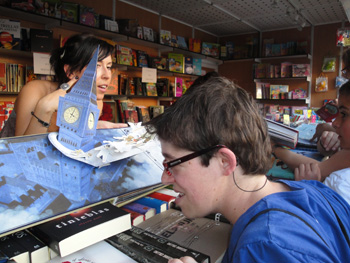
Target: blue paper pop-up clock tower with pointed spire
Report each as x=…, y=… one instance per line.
x=78, y=113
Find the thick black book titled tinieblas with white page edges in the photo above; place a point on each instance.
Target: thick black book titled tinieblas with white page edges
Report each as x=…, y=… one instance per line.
x=70, y=233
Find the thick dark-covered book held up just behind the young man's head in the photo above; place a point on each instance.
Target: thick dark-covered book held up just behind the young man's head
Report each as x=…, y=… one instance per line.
x=282, y=134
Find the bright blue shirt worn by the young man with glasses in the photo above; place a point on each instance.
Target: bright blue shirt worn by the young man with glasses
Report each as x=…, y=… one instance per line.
x=279, y=237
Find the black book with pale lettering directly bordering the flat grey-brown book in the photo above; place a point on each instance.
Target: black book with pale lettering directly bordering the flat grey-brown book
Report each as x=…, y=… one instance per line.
x=166, y=246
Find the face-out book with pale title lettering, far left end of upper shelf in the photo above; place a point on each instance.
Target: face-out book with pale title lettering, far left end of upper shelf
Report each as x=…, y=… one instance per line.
x=10, y=34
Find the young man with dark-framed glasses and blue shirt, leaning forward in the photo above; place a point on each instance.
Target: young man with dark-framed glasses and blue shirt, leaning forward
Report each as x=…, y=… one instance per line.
x=216, y=152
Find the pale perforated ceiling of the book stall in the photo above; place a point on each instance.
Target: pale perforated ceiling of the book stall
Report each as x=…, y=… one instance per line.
x=231, y=17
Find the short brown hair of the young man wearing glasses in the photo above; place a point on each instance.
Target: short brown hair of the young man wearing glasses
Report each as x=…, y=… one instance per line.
x=217, y=112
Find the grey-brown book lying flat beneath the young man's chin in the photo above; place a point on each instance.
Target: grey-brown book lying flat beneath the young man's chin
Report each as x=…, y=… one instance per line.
x=204, y=235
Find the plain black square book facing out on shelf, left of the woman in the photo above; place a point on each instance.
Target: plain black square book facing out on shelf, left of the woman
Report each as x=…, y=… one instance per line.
x=41, y=40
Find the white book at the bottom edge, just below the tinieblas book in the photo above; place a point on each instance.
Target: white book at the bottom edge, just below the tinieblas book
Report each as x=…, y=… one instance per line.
x=99, y=252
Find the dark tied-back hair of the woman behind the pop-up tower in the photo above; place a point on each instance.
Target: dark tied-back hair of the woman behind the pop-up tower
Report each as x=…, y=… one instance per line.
x=76, y=53
